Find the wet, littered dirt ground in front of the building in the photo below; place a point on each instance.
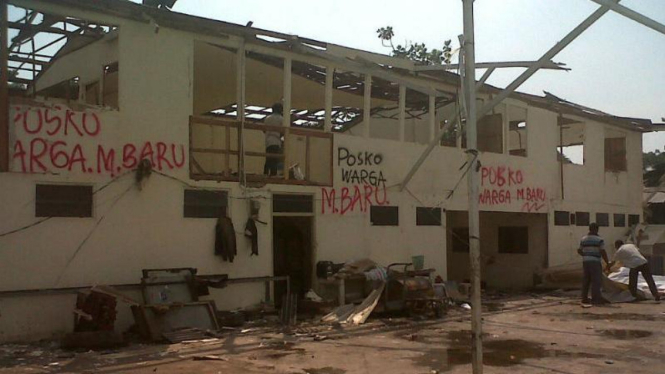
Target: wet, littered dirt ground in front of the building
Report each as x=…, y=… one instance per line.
x=522, y=334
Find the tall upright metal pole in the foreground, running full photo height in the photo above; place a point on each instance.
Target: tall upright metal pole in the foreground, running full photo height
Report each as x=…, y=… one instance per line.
x=473, y=183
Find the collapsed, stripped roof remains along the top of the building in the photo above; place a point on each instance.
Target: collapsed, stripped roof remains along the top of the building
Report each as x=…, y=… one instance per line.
x=52, y=36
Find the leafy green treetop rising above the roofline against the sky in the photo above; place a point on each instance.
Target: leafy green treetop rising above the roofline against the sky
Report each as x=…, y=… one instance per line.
x=417, y=52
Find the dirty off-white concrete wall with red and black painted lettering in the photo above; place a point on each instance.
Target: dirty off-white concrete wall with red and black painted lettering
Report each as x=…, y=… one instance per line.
x=132, y=229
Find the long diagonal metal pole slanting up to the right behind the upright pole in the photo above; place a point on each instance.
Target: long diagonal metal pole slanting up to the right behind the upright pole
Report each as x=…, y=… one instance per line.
x=545, y=59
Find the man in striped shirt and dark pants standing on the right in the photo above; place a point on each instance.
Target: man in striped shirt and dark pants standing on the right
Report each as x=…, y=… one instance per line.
x=592, y=249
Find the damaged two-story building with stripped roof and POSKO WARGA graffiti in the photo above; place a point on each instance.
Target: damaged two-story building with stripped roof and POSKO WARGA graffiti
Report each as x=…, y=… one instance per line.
x=143, y=125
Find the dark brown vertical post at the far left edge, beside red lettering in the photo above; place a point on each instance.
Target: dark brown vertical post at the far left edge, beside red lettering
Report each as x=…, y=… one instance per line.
x=4, y=88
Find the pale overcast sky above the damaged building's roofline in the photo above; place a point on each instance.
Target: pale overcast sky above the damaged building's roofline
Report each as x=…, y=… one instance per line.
x=618, y=65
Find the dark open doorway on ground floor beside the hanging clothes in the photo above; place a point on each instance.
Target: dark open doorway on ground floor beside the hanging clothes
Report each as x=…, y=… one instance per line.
x=292, y=254
